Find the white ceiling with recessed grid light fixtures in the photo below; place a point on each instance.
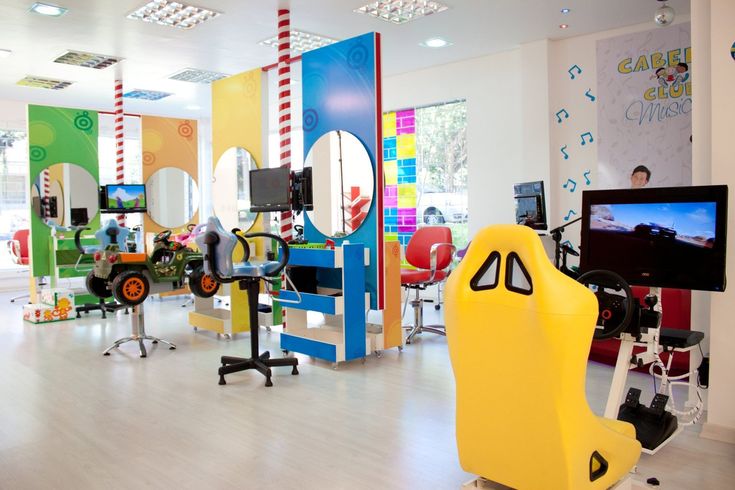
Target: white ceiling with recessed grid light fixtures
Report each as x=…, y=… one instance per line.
x=229, y=43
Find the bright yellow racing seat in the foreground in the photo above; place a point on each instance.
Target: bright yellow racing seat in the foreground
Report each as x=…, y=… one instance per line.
x=519, y=333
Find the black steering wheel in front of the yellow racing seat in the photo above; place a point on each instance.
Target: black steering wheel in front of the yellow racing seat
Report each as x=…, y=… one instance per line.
x=615, y=310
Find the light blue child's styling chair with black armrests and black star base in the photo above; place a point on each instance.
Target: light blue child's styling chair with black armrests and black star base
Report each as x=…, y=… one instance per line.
x=218, y=246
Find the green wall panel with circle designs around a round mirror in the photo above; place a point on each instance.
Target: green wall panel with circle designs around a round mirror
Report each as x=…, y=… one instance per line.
x=57, y=135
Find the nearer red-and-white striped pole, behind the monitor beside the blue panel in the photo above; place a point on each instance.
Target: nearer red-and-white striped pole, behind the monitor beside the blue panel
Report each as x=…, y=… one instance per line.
x=284, y=104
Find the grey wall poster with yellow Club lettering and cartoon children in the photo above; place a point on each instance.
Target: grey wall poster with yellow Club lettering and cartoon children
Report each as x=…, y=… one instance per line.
x=644, y=112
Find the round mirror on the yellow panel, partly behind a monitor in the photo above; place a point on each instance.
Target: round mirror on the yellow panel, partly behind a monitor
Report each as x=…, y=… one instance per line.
x=231, y=189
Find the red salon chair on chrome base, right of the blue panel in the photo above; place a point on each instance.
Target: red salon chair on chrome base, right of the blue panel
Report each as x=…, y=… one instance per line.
x=430, y=251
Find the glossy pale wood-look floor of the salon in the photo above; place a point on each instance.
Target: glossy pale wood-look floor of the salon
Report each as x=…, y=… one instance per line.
x=71, y=418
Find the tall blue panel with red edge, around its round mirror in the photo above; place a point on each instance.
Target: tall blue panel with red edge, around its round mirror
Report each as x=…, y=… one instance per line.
x=341, y=90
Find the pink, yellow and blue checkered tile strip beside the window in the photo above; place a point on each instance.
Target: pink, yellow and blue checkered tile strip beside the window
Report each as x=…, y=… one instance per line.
x=399, y=155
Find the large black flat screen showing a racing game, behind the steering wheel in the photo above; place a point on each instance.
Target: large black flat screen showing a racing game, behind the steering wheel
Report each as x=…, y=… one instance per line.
x=674, y=237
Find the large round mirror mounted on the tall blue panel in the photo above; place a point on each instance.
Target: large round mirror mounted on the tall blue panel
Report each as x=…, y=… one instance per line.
x=343, y=184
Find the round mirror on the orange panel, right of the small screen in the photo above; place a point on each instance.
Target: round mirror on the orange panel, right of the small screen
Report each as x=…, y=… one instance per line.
x=173, y=197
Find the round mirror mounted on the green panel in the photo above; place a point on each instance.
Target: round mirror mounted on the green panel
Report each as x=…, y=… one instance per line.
x=65, y=194
